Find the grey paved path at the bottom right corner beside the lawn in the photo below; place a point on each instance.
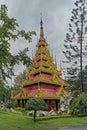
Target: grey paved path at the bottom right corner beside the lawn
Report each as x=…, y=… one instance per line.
x=72, y=128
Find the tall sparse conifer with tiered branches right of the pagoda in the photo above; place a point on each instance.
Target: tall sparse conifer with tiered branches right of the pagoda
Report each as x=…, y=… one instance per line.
x=75, y=42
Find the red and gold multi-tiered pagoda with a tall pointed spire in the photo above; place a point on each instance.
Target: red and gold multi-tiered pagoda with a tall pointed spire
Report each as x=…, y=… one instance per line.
x=42, y=78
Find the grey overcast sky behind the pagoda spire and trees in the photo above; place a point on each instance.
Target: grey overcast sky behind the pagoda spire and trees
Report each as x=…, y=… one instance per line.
x=55, y=14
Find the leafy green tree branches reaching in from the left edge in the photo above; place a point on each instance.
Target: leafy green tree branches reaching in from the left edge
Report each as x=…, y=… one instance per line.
x=9, y=32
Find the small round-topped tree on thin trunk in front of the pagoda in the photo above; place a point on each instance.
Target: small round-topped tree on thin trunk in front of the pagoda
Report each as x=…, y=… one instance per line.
x=36, y=104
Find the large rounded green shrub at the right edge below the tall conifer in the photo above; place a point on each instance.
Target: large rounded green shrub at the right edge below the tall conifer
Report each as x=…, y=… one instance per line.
x=79, y=106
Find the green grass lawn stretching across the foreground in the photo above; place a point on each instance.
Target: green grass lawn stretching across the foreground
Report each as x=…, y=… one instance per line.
x=10, y=121
